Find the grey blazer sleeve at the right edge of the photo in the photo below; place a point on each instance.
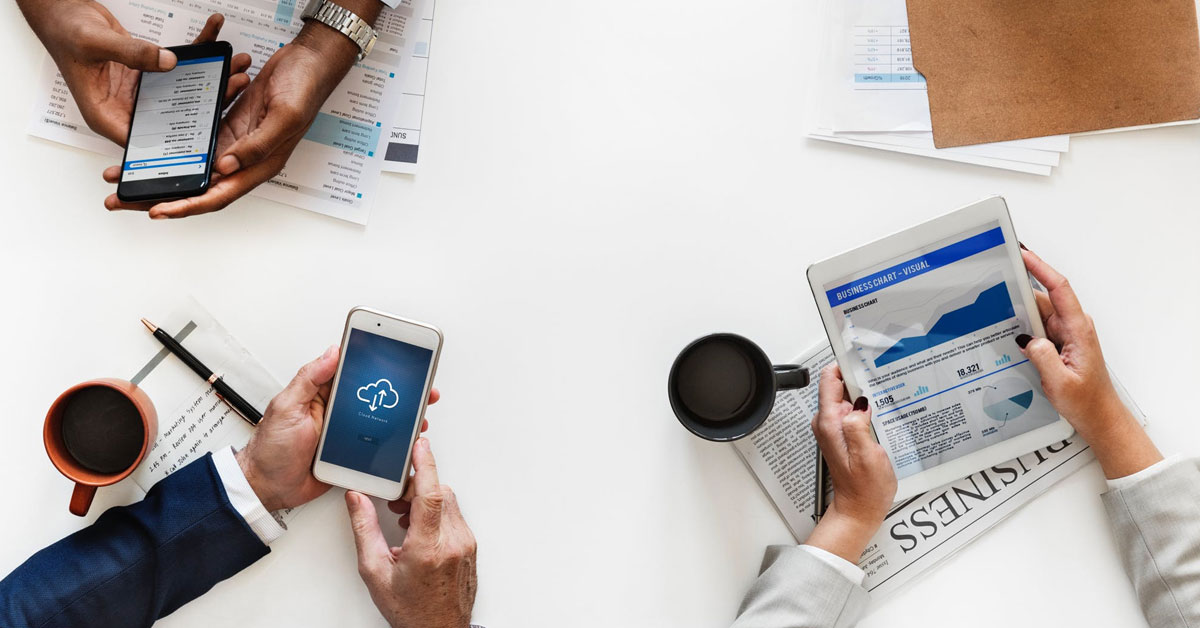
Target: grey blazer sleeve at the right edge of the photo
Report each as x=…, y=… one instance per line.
x=1157, y=527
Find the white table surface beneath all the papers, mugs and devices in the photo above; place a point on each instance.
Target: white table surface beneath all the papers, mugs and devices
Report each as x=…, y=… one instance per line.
x=601, y=184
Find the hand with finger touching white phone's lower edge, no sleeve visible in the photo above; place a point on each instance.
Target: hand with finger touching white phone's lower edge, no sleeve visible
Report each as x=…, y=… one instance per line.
x=430, y=581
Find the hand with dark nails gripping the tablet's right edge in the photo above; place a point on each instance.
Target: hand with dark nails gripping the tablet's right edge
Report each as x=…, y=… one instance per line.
x=1077, y=380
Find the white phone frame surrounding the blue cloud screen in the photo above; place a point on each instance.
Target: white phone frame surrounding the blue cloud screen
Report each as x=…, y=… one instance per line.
x=398, y=328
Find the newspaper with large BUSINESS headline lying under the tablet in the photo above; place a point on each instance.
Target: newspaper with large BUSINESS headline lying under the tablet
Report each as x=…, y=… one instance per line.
x=921, y=531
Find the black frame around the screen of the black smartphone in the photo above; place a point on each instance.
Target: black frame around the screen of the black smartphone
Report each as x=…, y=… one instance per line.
x=193, y=184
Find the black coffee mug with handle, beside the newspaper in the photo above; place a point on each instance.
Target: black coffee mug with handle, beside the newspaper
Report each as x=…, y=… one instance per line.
x=723, y=386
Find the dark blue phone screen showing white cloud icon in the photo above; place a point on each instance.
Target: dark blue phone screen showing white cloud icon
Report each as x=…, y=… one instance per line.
x=377, y=405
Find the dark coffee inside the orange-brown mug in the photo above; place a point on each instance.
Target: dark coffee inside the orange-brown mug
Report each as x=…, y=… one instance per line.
x=103, y=430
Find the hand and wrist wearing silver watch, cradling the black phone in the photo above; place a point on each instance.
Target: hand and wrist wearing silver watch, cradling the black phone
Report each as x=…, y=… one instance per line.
x=266, y=125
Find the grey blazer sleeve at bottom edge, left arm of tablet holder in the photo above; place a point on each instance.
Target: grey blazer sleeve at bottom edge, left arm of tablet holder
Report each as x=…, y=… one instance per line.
x=795, y=589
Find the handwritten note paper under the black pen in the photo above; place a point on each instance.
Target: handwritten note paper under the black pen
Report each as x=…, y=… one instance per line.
x=193, y=421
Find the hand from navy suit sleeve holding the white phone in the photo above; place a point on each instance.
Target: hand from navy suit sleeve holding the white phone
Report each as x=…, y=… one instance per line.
x=278, y=460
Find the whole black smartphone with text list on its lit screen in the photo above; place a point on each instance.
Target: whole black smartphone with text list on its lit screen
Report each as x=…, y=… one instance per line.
x=173, y=134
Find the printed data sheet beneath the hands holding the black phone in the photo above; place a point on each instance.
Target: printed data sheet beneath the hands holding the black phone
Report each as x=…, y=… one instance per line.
x=335, y=170
